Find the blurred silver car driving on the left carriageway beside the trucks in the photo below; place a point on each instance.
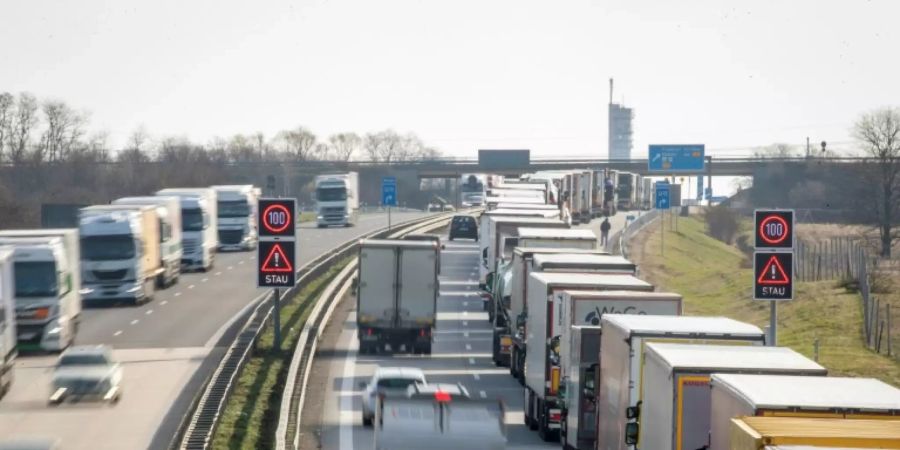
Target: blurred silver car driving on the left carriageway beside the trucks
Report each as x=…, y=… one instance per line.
x=87, y=373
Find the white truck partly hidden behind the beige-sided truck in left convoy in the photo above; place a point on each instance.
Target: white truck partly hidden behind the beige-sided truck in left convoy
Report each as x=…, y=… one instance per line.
x=168, y=210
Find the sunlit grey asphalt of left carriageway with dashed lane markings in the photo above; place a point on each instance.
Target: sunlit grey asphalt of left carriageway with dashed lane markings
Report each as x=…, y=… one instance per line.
x=162, y=345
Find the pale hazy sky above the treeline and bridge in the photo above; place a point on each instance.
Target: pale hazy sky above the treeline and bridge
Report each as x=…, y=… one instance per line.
x=463, y=74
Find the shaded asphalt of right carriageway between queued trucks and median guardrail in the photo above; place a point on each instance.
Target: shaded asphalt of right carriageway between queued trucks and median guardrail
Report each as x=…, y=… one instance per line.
x=461, y=353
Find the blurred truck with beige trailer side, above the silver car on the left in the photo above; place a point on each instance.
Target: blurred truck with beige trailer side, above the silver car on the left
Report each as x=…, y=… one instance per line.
x=120, y=254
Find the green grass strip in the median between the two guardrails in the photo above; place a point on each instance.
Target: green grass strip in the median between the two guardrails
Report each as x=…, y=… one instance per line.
x=251, y=415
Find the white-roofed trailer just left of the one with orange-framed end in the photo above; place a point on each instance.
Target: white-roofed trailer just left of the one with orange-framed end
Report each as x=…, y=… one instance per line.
x=621, y=373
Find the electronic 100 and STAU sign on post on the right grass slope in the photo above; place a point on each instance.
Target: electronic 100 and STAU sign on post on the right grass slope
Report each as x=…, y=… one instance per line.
x=773, y=262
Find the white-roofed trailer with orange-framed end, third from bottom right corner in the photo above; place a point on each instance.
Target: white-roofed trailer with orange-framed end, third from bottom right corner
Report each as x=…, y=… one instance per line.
x=675, y=412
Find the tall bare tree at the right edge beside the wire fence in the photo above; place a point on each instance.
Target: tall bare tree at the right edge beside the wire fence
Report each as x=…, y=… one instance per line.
x=879, y=133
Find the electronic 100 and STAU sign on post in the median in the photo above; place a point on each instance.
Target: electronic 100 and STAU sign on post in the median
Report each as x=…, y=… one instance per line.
x=276, y=253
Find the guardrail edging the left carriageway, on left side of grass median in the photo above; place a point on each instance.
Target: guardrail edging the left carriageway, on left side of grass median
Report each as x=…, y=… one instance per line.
x=199, y=425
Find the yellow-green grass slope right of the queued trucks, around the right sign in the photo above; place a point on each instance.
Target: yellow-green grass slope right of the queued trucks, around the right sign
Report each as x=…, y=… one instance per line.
x=713, y=278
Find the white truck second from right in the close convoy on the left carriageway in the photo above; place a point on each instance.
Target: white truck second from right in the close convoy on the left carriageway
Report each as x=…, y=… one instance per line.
x=199, y=226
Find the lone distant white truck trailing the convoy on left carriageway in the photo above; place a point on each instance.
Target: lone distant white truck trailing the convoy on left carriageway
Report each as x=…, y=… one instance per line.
x=337, y=199
